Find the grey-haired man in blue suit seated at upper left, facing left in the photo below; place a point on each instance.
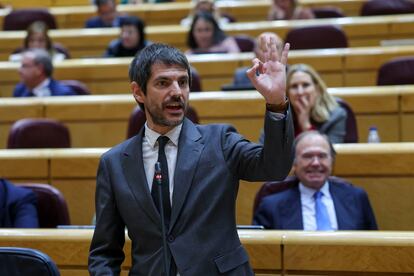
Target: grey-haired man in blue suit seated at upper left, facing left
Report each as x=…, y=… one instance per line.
x=36, y=77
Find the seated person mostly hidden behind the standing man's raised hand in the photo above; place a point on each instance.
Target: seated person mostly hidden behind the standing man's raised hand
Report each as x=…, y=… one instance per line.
x=240, y=78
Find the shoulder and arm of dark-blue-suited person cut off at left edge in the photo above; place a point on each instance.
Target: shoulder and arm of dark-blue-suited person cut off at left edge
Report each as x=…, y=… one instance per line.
x=17, y=206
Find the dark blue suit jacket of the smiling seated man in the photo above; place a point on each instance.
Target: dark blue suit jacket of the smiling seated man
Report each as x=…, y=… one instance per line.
x=284, y=211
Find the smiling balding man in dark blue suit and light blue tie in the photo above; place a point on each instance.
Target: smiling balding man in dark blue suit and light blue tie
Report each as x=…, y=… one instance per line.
x=316, y=201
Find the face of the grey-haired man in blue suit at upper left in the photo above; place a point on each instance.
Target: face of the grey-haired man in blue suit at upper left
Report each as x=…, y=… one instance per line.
x=30, y=72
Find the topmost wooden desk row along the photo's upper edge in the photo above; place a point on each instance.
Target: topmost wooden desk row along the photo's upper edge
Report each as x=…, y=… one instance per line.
x=74, y=13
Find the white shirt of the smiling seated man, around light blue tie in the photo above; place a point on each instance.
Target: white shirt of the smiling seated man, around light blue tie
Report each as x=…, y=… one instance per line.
x=308, y=206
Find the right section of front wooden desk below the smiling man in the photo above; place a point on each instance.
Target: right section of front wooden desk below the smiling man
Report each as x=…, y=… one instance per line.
x=348, y=253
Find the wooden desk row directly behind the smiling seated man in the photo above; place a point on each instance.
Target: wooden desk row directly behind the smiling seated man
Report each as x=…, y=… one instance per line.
x=384, y=170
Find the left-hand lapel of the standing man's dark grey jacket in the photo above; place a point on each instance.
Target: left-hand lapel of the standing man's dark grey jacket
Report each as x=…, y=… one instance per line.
x=134, y=172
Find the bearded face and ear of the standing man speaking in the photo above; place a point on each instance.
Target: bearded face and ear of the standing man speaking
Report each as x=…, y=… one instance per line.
x=166, y=99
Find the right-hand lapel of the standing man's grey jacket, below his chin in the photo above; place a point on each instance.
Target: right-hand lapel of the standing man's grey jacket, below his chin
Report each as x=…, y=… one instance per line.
x=189, y=152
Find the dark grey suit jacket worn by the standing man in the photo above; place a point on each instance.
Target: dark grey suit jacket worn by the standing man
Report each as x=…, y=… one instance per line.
x=202, y=237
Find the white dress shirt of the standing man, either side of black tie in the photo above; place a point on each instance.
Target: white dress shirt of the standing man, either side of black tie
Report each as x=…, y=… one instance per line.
x=150, y=154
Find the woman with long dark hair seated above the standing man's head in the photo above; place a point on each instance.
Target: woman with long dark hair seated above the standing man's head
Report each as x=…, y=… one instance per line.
x=205, y=36
